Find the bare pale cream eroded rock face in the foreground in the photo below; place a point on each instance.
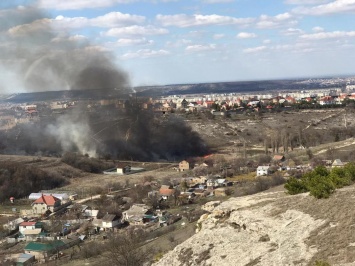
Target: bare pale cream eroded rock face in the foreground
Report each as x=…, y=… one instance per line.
x=247, y=231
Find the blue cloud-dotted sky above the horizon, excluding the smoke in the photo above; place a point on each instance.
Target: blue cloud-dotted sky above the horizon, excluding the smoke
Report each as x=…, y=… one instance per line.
x=160, y=42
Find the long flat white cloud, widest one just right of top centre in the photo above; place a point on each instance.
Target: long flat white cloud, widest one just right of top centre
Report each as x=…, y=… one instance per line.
x=183, y=20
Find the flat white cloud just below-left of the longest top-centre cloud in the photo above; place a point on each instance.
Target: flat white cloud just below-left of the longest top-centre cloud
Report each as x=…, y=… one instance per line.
x=135, y=31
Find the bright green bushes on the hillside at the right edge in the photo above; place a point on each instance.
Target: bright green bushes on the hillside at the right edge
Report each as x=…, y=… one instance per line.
x=321, y=182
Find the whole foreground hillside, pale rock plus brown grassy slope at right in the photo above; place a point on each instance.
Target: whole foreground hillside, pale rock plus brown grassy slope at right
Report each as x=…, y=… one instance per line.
x=272, y=228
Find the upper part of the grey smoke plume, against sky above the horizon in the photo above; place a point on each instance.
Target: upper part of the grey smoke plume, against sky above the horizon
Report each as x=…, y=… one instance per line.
x=34, y=56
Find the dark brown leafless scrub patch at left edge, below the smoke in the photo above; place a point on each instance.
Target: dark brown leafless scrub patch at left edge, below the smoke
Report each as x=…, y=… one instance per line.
x=18, y=180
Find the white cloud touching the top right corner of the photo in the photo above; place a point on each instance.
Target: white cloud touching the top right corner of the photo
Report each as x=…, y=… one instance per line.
x=337, y=6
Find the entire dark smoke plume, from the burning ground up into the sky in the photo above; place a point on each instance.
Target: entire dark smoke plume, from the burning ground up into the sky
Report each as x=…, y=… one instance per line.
x=36, y=57
